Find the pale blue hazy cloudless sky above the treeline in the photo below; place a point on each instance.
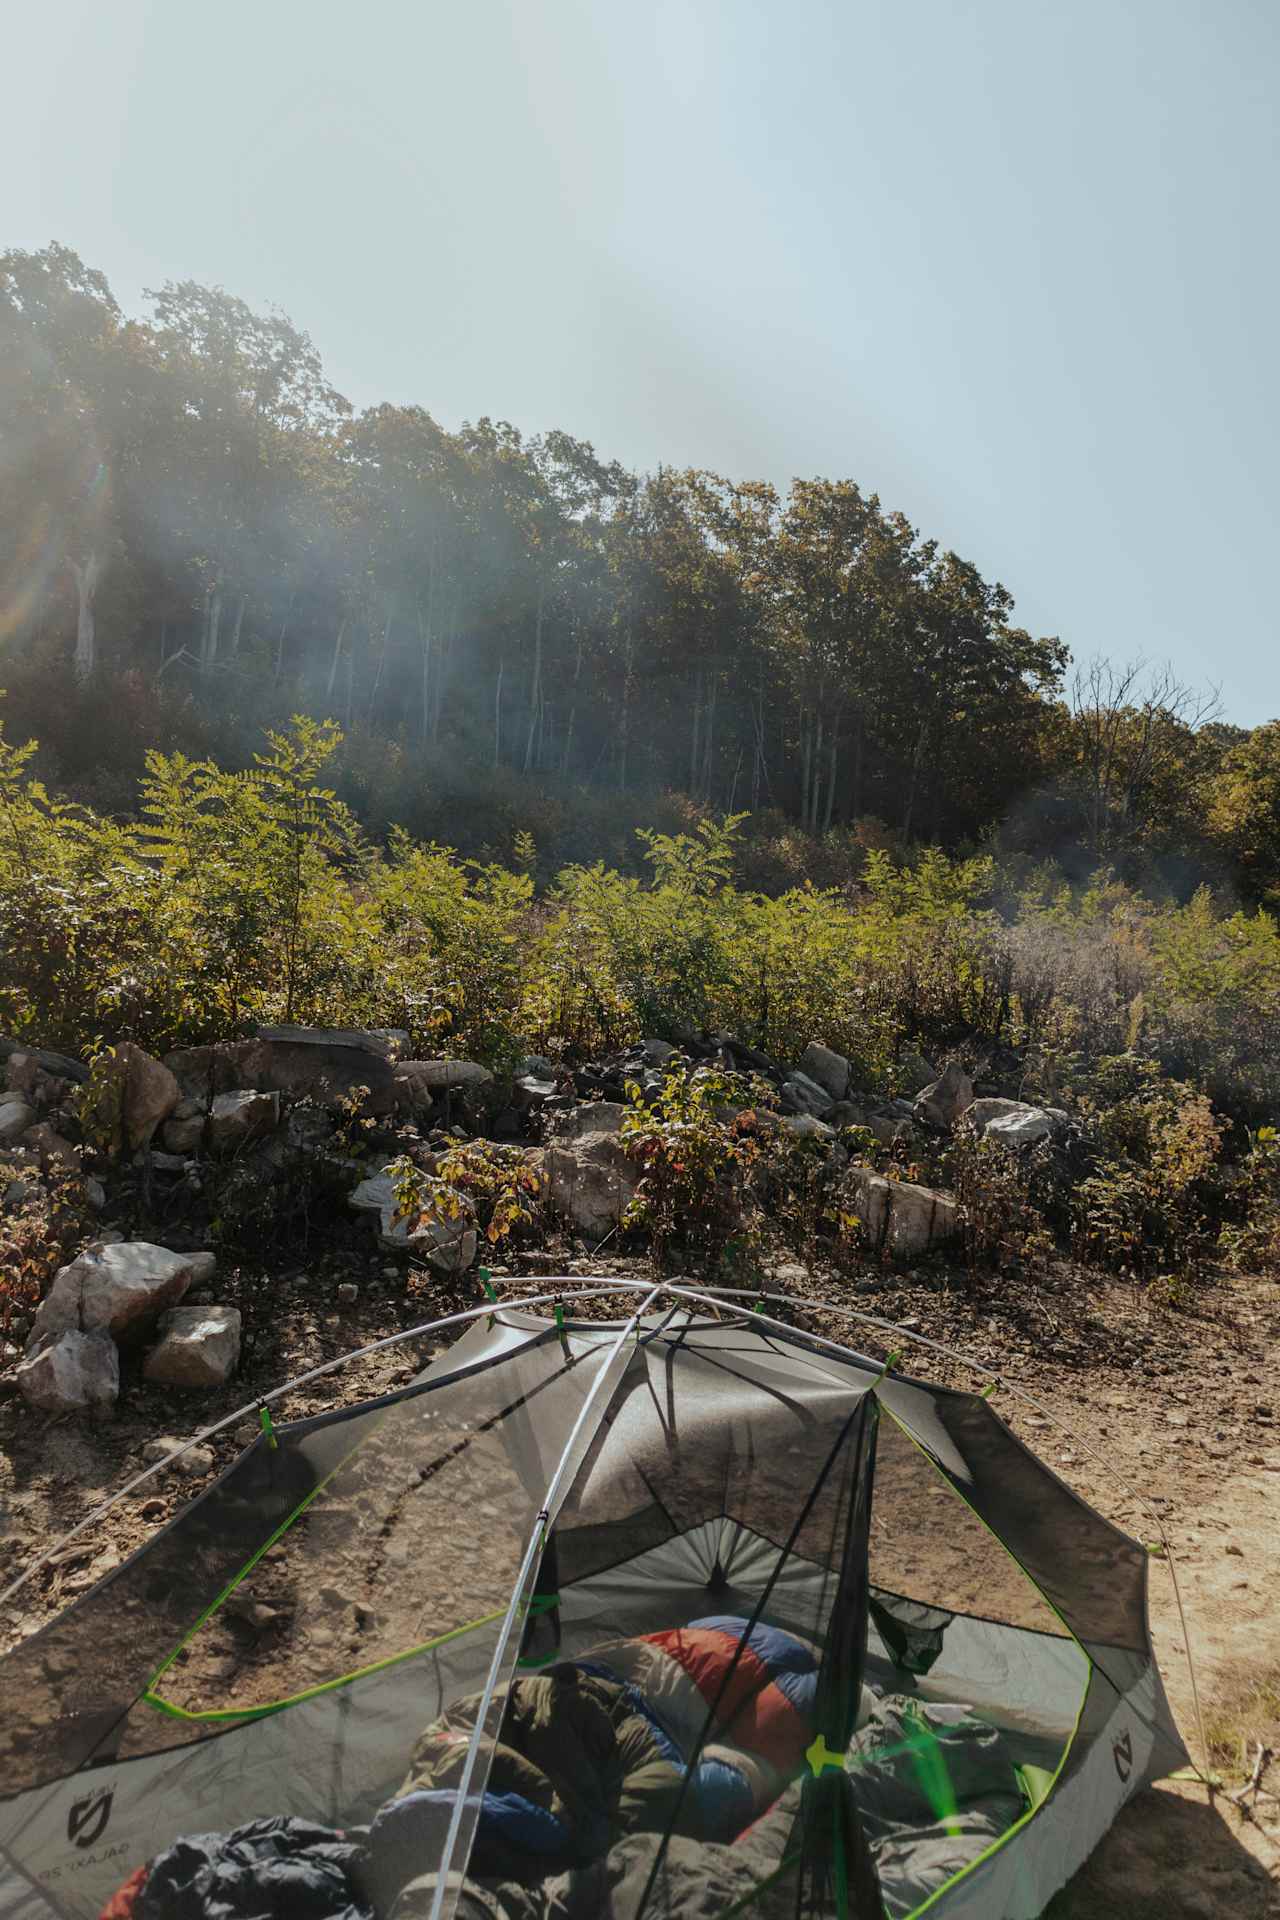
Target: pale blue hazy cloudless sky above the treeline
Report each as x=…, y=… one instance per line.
x=1012, y=264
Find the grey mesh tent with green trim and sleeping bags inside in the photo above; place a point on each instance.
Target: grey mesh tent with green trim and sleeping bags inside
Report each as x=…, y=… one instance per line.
x=682, y=1614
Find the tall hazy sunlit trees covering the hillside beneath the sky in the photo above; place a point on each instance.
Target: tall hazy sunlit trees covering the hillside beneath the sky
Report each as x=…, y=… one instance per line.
x=201, y=537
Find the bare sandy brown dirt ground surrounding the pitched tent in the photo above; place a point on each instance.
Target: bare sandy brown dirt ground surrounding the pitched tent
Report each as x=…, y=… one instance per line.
x=1183, y=1403
